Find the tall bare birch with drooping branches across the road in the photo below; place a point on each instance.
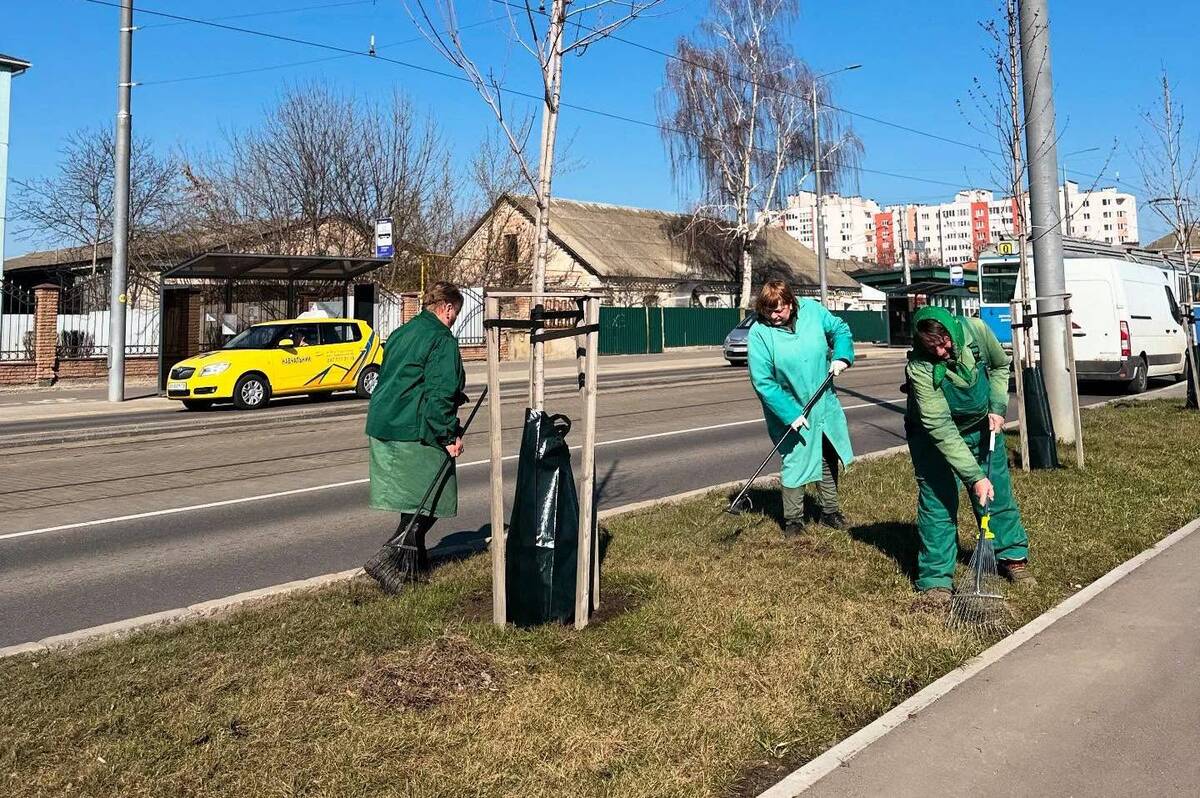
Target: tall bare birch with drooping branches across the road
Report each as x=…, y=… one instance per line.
x=736, y=111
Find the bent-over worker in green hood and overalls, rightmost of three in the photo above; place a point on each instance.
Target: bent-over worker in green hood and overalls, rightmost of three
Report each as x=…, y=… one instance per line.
x=958, y=395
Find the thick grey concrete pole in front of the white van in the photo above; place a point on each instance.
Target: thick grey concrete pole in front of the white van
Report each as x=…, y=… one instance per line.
x=1042, y=155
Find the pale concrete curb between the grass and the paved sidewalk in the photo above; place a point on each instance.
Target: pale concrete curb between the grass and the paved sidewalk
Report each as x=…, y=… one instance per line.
x=839, y=755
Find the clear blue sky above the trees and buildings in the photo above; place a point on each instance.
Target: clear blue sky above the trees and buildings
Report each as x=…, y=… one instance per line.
x=920, y=59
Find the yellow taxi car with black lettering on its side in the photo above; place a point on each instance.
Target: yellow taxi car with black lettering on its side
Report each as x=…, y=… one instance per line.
x=286, y=358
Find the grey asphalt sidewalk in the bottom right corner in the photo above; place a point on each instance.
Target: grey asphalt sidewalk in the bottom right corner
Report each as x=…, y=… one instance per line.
x=1105, y=703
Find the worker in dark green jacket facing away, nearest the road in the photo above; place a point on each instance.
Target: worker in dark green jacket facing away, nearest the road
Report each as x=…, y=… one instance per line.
x=413, y=428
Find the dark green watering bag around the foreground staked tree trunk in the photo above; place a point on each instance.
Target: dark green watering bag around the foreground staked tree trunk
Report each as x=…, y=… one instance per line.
x=544, y=533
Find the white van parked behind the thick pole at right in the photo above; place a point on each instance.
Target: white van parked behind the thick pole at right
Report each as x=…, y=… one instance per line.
x=1125, y=321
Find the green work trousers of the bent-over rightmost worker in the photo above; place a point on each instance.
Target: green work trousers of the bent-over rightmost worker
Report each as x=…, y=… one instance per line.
x=938, y=508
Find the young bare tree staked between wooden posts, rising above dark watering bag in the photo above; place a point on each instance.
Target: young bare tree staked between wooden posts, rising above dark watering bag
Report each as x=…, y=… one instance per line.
x=548, y=37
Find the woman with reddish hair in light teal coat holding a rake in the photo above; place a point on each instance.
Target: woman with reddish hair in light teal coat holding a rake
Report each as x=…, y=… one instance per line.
x=793, y=347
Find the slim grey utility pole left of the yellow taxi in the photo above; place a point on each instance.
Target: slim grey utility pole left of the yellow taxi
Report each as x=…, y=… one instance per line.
x=119, y=269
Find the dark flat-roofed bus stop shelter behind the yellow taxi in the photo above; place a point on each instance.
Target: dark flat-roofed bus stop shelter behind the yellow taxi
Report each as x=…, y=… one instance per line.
x=212, y=297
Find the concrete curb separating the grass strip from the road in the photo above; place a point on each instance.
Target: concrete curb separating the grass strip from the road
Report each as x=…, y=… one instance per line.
x=223, y=607
